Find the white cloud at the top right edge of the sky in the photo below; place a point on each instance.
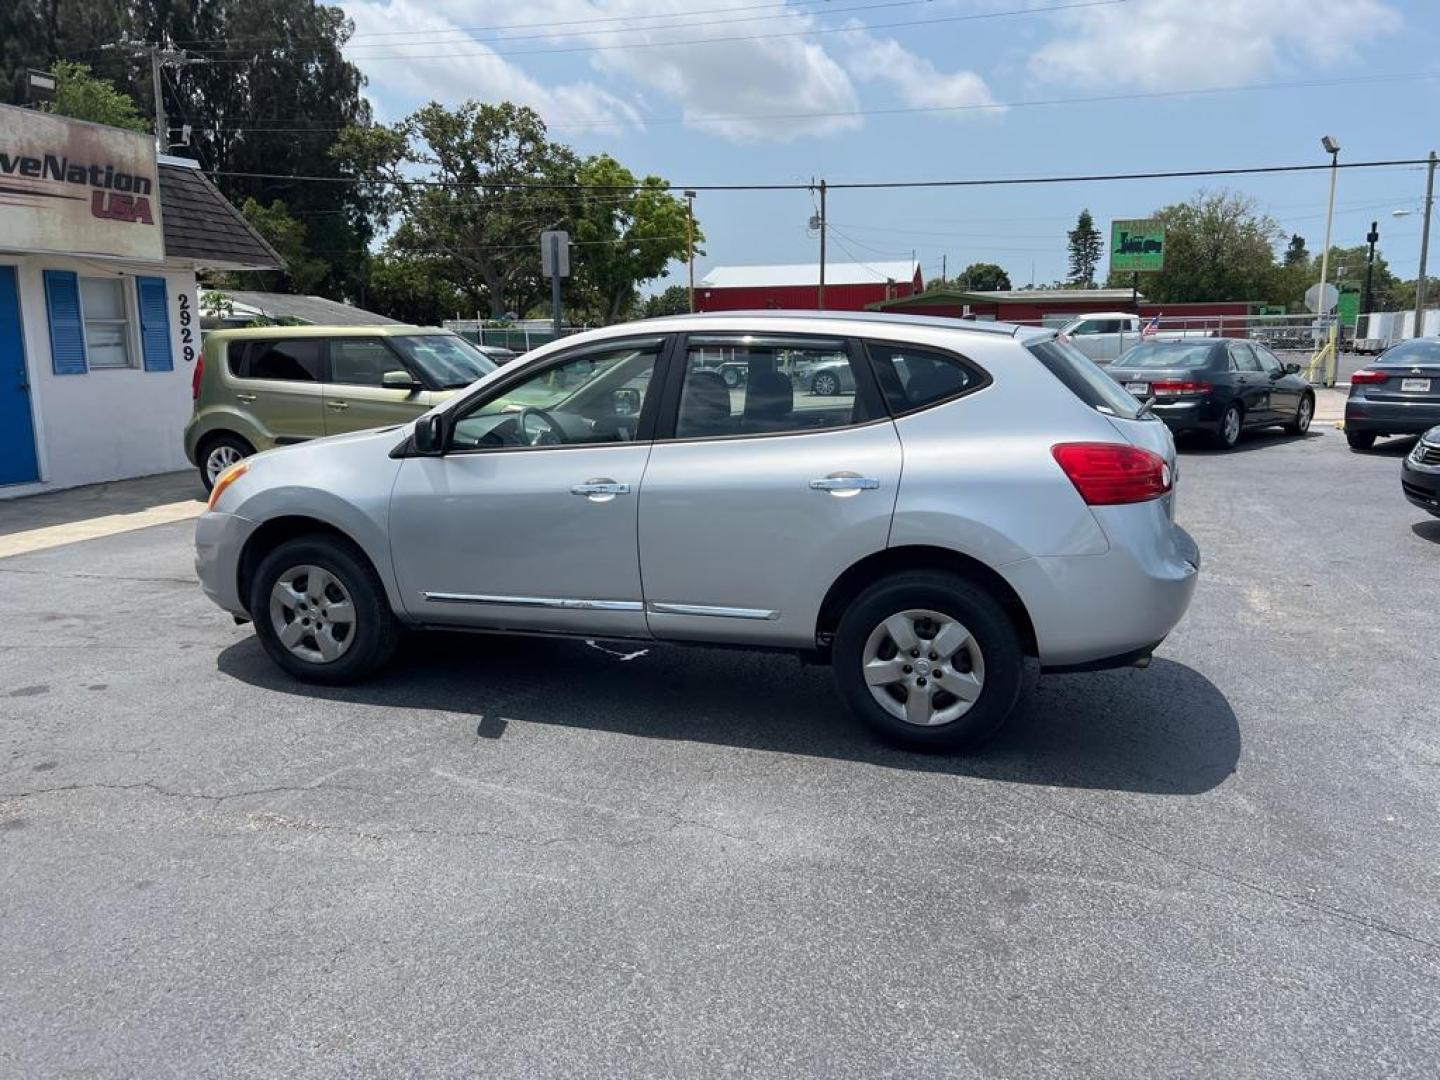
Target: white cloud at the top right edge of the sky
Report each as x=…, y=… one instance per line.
x=1179, y=44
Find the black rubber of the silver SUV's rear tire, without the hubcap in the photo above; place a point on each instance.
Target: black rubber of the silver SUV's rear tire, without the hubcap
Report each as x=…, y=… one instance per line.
x=961, y=600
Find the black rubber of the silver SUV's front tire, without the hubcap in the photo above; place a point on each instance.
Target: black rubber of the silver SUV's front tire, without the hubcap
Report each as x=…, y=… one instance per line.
x=375, y=629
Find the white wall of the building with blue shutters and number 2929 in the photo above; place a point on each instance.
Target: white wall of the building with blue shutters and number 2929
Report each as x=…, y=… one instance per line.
x=110, y=424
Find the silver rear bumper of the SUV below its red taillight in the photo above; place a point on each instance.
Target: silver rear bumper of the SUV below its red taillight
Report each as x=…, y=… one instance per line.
x=1110, y=610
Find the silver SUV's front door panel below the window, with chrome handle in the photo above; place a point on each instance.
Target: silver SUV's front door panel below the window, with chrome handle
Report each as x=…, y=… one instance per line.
x=505, y=541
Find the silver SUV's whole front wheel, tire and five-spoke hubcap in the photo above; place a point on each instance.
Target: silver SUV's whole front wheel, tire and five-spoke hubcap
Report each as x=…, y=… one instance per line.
x=322, y=613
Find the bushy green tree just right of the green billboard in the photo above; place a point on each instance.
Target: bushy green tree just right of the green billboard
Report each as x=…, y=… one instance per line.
x=1218, y=247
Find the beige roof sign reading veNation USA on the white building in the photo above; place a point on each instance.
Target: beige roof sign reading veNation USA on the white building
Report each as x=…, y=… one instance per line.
x=77, y=189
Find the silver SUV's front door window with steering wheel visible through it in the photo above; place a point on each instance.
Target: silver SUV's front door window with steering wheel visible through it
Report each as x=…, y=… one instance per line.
x=590, y=400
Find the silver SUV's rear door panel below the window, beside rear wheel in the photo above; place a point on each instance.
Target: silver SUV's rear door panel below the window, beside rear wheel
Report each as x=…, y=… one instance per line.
x=741, y=539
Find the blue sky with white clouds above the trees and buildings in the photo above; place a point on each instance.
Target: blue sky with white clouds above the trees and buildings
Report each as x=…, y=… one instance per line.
x=786, y=91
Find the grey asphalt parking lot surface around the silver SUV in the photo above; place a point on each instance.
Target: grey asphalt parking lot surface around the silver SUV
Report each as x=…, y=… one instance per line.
x=516, y=858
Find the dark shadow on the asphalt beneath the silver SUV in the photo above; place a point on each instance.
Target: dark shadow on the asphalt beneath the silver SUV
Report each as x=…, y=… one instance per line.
x=1163, y=731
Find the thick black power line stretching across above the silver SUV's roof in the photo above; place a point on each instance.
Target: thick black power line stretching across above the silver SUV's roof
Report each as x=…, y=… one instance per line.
x=850, y=186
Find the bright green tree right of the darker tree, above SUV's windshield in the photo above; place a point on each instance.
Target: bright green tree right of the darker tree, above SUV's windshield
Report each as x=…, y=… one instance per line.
x=624, y=238
